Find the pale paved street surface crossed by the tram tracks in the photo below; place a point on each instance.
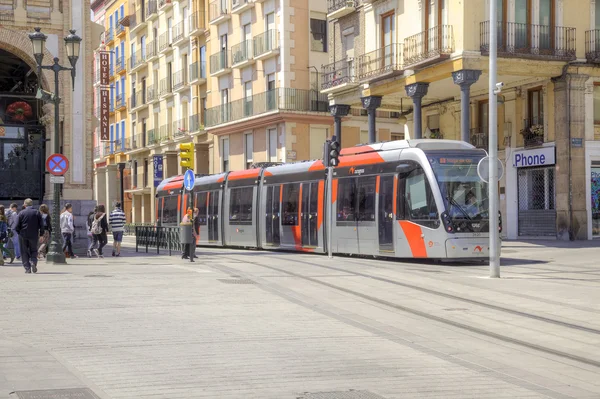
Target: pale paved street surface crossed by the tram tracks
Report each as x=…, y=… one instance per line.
x=256, y=324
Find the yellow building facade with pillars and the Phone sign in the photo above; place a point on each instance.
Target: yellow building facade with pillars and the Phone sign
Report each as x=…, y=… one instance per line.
x=428, y=61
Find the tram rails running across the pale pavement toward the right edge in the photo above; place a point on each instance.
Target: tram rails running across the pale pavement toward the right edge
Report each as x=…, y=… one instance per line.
x=439, y=319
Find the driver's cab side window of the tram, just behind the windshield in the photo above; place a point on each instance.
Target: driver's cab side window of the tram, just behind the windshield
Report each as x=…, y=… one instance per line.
x=415, y=199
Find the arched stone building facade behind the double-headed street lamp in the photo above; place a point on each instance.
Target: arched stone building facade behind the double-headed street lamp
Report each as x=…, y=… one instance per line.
x=26, y=124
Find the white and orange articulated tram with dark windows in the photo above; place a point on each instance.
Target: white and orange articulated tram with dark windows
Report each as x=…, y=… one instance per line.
x=403, y=199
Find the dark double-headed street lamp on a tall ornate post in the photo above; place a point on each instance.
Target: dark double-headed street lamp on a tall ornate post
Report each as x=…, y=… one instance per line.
x=73, y=45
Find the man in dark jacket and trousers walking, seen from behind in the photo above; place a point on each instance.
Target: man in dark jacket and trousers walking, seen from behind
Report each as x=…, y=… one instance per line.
x=30, y=228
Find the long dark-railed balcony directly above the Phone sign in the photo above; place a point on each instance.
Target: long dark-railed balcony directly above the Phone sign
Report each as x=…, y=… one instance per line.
x=530, y=41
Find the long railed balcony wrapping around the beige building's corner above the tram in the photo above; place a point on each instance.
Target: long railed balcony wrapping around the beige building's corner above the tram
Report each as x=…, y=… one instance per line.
x=281, y=99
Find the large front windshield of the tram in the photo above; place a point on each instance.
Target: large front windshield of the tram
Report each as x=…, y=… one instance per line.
x=465, y=194
